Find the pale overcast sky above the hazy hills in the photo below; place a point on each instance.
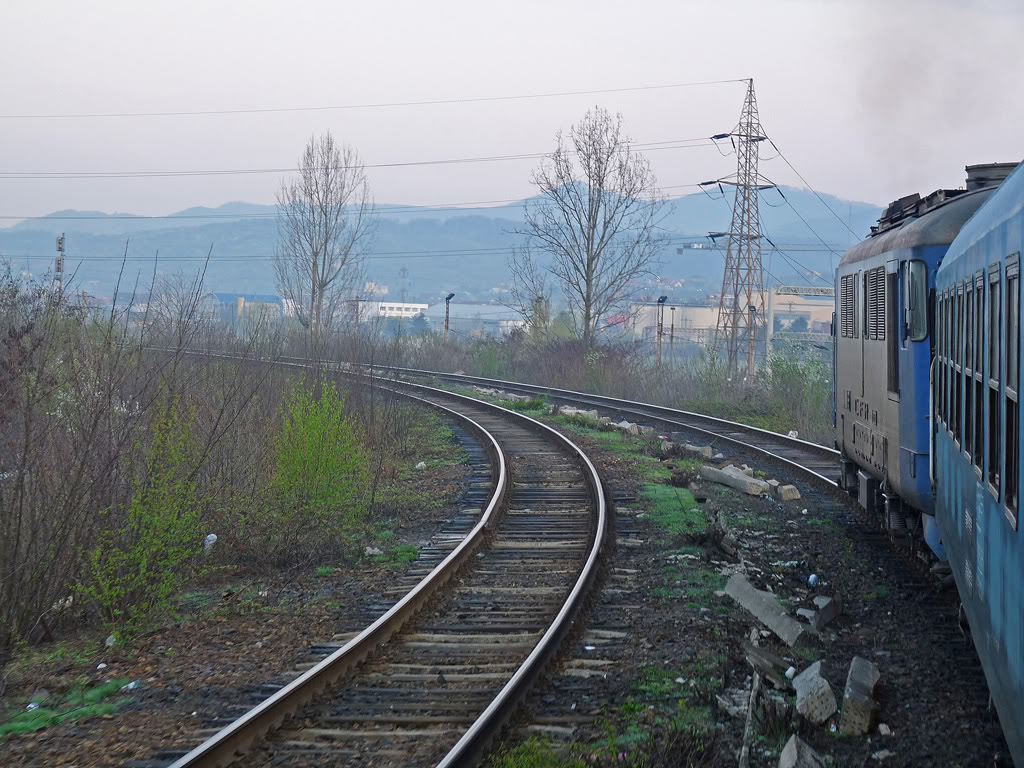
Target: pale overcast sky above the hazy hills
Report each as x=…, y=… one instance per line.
x=870, y=100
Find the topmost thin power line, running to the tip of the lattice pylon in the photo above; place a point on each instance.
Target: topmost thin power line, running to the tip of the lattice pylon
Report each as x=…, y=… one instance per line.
x=373, y=106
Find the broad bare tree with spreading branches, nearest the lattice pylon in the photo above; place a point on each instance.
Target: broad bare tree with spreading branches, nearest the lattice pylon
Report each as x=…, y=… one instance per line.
x=595, y=228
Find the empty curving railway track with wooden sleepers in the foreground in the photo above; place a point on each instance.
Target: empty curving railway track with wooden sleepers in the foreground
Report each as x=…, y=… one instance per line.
x=496, y=593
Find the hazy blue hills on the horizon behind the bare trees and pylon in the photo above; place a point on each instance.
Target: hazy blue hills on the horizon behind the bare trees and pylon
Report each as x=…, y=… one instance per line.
x=444, y=249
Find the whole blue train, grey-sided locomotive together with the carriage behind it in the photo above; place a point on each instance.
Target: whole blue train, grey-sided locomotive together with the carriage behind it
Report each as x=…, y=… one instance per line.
x=926, y=377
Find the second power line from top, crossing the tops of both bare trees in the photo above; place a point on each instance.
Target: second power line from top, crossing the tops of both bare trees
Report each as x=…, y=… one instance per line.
x=22, y=176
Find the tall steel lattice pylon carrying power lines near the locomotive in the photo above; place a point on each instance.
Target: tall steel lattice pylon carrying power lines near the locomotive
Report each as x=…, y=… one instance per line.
x=741, y=307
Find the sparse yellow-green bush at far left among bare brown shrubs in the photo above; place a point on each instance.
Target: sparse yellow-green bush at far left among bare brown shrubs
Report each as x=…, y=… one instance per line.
x=143, y=561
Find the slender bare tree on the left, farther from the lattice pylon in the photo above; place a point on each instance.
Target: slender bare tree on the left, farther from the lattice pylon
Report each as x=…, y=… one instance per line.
x=325, y=228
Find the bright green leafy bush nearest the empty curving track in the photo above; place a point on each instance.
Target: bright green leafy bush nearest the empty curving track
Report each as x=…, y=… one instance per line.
x=319, y=486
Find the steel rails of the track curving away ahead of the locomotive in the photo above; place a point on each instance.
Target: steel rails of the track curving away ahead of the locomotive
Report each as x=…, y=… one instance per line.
x=714, y=428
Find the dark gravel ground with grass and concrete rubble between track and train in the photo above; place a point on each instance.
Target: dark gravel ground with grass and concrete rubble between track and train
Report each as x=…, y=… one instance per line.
x=664, y=667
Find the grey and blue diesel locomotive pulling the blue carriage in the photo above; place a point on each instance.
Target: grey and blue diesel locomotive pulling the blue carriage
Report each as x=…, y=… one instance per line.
x=884, y=351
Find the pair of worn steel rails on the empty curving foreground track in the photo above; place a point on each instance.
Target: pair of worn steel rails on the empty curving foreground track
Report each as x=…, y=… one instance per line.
x=226, y=746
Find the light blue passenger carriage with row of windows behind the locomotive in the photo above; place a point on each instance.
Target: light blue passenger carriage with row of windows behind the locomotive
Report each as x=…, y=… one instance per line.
x=977, y=420
